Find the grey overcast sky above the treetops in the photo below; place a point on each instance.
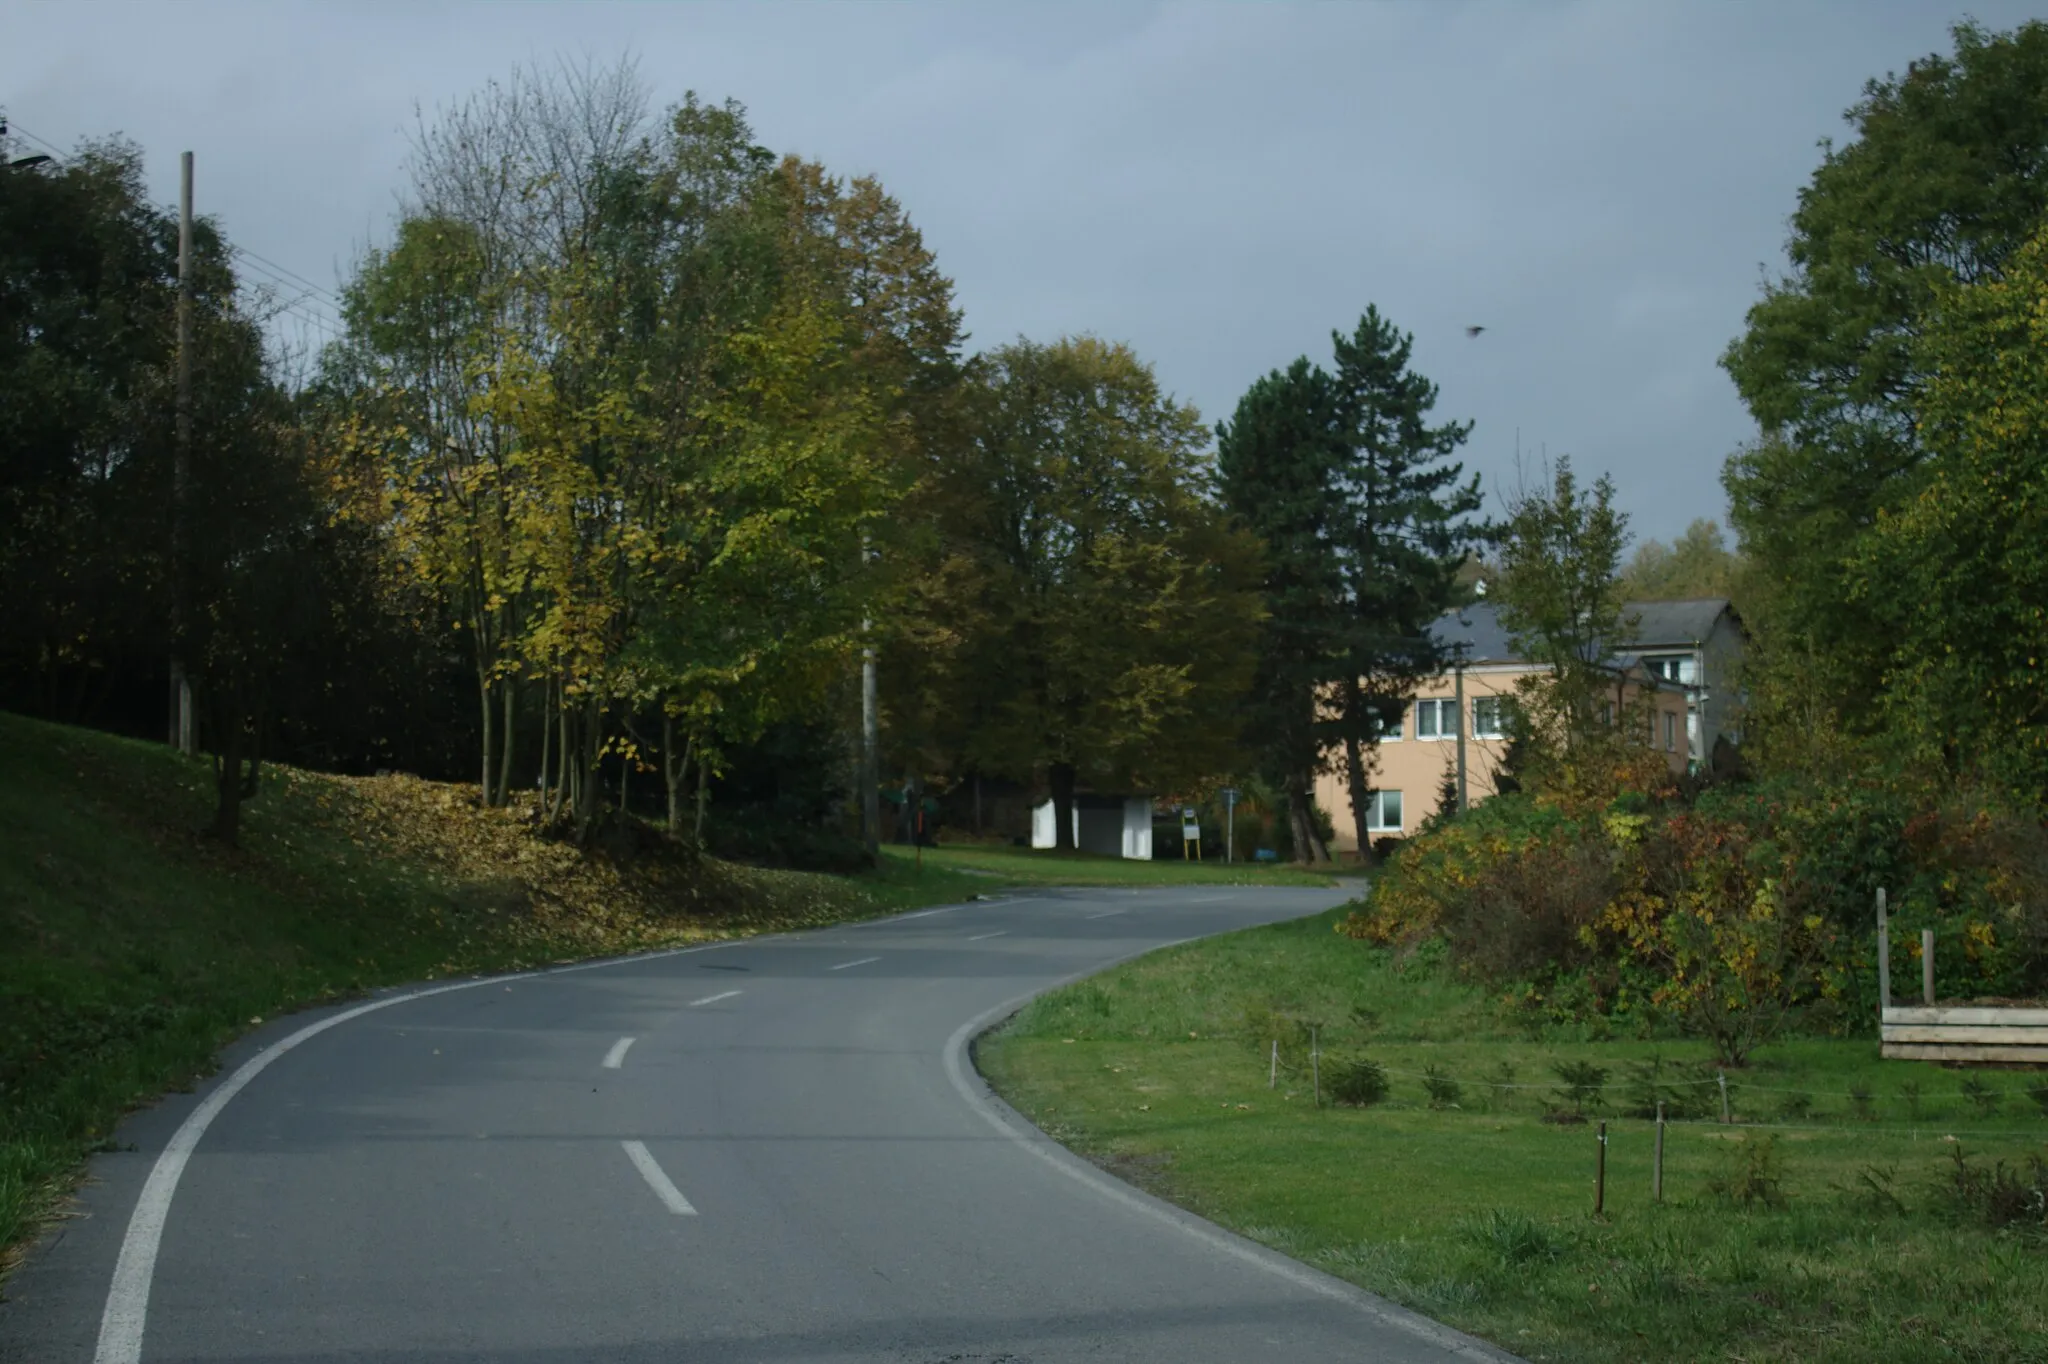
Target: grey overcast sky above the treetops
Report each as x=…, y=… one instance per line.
x=1594, y=183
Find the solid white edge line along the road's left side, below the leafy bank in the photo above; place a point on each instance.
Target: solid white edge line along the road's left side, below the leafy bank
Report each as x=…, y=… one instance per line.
x=128, y=1295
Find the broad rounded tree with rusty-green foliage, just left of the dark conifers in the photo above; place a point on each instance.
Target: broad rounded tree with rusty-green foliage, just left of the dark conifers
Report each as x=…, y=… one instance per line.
x=1111, y=609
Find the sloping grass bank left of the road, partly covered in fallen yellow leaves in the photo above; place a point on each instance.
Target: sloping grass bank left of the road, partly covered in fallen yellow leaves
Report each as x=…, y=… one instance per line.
x=132, y=951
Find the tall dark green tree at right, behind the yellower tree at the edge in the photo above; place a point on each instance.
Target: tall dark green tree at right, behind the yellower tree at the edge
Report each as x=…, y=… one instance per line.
x=1947, y=177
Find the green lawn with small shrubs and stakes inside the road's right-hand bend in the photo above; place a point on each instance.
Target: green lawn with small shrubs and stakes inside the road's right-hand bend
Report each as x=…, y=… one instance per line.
x=1822, y=1226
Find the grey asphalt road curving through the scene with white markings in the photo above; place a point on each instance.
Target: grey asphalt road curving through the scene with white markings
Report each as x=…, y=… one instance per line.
x=763, y=1152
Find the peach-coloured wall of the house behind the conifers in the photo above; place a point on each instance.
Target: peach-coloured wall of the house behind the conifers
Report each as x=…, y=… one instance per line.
x=1416, y=767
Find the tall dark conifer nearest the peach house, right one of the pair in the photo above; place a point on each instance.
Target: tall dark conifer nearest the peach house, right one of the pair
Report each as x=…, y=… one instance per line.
x=1408, y=523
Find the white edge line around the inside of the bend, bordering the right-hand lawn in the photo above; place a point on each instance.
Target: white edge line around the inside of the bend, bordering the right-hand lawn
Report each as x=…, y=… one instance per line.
x=992, y=1109
